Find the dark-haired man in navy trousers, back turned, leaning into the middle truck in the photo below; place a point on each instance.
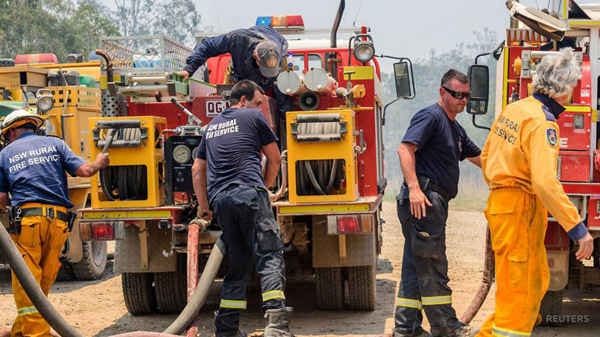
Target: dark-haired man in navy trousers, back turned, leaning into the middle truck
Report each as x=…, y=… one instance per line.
x=227, y=176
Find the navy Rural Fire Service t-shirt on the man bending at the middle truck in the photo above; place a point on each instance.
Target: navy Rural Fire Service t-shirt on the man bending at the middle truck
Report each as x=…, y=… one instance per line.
x=231, y=146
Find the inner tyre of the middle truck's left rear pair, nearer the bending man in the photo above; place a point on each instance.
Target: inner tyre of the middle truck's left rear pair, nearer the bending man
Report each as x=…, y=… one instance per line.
x=171, y=292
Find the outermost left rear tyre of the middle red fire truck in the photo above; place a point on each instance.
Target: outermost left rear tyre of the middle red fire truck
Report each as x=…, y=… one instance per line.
x=138, y=293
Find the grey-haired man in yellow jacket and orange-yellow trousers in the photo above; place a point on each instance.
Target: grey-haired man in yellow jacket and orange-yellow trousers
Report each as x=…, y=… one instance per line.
x=519, y=162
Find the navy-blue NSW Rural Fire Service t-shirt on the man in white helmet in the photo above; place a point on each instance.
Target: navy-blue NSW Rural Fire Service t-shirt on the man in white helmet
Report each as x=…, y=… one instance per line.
x=32, y=169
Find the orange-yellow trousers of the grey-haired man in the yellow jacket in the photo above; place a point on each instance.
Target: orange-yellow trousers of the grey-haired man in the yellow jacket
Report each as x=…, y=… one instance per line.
x=517, y=222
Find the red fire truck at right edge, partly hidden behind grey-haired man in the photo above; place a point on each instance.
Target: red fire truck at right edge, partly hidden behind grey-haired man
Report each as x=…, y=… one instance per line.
x=576, y=26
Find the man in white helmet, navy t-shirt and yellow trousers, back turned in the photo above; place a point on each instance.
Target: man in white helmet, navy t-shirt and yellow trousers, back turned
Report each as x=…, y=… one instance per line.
x=32, y=170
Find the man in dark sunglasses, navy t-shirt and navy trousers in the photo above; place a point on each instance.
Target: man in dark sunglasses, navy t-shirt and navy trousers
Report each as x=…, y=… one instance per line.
x=429, y=154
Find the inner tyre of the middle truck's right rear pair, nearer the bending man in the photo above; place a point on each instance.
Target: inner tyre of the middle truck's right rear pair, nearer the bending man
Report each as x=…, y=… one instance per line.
x=330, y=294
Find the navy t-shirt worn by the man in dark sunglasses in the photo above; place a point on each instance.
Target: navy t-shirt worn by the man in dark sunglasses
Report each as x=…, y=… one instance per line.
x=441, y=144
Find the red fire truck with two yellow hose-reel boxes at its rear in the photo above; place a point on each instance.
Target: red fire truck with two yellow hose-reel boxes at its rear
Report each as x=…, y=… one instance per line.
x=331, y=184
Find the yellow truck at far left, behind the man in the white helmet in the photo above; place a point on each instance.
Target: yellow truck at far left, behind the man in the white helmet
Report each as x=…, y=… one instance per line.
x=66, y=95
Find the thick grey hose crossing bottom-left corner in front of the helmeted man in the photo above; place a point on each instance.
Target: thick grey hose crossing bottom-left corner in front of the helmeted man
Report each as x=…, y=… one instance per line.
x=32, y=288
